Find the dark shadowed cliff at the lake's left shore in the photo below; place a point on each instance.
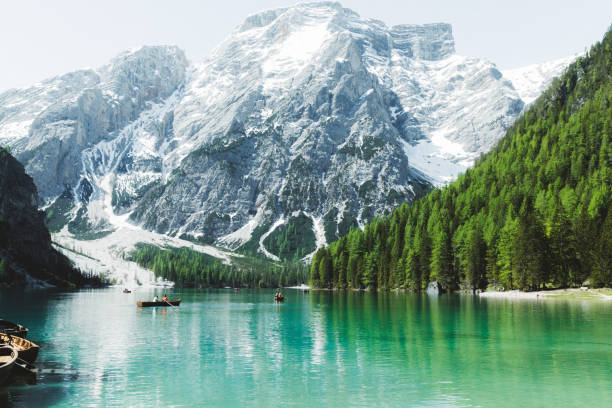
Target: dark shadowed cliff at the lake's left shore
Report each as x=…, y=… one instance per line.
x=25, y=242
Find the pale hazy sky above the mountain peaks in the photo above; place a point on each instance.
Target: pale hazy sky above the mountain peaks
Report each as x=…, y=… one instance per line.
x=40, y=39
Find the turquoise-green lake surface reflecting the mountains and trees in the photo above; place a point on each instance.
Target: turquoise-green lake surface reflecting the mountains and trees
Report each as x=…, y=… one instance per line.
x=222, y=348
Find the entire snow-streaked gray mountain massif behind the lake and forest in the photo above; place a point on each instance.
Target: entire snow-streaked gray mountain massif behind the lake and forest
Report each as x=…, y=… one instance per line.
x=306, y=115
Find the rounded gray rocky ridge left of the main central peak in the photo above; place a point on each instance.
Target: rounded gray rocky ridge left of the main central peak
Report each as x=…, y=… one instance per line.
x=76, y=111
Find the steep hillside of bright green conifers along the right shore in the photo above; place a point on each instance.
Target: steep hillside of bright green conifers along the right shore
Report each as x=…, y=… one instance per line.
x=535, y=211
